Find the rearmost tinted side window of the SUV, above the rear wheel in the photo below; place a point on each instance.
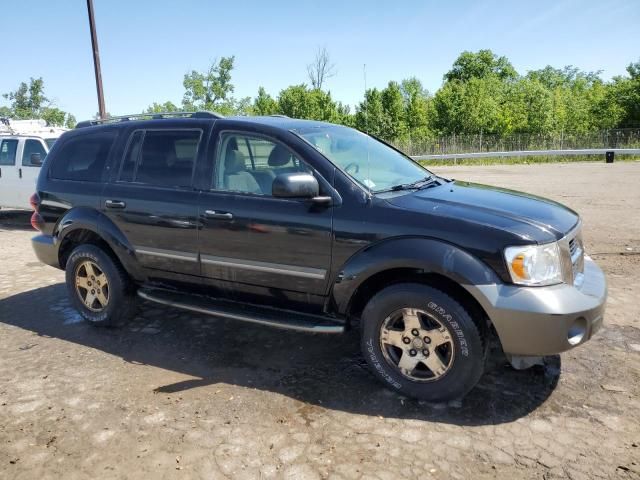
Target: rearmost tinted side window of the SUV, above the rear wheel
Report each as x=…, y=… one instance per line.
x=83, y=157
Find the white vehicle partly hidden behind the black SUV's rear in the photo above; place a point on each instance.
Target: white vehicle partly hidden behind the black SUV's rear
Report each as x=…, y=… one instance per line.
x=23, y=146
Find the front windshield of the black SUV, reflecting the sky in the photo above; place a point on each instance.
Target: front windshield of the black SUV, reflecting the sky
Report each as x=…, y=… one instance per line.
x=371, y=163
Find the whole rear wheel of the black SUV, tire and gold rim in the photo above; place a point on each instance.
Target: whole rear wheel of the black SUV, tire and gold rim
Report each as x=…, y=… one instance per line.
x=98, y=287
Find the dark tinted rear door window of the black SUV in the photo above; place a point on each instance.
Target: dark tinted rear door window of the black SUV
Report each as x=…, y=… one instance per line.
x=166, y=159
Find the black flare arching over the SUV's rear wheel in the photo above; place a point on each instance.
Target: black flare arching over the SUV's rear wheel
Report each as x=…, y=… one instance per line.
x=84, y=218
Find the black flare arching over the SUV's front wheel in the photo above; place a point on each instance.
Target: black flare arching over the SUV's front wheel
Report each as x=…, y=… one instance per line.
x=428, y=255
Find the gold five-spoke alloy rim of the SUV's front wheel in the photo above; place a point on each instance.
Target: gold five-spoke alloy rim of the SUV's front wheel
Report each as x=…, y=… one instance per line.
x=417, y=344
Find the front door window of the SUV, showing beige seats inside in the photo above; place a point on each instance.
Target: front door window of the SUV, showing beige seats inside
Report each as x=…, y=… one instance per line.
x=249, y=164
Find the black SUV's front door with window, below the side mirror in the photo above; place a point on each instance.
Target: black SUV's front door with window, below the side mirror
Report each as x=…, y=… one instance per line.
x=255, y=244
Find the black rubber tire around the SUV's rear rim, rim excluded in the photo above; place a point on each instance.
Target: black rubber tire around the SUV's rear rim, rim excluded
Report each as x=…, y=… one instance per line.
x=121, y=303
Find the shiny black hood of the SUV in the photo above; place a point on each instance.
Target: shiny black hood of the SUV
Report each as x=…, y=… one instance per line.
x=530, y=217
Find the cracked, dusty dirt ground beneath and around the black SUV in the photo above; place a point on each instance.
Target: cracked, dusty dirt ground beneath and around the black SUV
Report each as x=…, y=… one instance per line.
x=177, y=395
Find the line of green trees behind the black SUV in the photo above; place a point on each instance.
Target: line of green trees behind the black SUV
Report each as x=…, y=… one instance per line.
x=482, y=93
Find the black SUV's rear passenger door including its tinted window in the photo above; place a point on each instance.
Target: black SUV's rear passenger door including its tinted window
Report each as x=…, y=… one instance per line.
x=151, y=199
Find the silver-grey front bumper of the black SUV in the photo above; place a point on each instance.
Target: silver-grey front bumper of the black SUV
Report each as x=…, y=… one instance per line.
x=536, y=321
